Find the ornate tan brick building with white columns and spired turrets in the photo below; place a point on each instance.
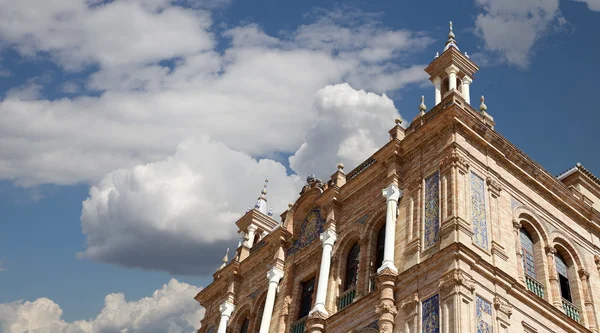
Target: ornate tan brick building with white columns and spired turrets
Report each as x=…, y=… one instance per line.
x=446, y=228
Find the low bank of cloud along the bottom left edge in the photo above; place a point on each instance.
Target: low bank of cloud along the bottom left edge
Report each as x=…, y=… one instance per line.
x=171, y=309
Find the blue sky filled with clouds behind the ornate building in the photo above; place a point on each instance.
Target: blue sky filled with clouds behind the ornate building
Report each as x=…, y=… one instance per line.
x=134, y=133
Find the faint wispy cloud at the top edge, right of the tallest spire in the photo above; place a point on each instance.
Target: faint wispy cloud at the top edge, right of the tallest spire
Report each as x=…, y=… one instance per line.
x=511, y=28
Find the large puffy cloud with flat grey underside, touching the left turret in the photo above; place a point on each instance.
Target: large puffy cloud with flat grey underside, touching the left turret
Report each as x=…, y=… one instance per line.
x=178, y=214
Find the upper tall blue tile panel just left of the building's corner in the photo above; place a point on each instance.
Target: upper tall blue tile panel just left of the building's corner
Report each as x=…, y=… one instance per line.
x=432, y=209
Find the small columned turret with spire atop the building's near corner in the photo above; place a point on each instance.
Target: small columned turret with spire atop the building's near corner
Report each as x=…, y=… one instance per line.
x=452, y=70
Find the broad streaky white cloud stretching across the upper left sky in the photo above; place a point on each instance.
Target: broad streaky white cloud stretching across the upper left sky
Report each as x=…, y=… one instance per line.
x=254, y=96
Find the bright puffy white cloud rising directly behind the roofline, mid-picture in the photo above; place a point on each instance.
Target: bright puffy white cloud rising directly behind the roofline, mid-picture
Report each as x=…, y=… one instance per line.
x=352, y=124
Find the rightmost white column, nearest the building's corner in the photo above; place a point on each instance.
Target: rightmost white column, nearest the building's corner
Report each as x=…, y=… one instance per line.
x=392, y=193
